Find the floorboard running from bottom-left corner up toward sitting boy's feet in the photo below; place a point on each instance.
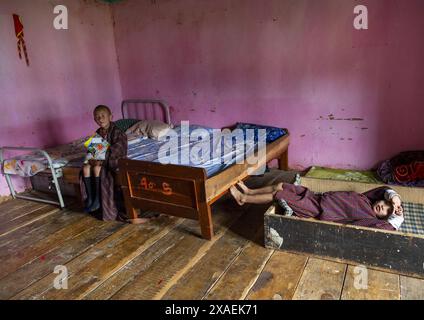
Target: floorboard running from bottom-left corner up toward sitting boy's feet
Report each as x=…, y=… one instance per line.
x=40, y=267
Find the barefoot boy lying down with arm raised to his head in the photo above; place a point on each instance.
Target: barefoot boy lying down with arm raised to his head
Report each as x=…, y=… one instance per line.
x=378, y=208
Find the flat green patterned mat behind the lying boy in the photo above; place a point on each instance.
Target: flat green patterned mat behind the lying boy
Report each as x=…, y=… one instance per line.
x=342, y=174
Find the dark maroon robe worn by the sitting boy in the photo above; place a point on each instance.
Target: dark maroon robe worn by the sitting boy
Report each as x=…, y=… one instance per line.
x=110, y=194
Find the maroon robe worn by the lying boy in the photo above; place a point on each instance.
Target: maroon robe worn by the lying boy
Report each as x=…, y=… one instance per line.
x=344, y=207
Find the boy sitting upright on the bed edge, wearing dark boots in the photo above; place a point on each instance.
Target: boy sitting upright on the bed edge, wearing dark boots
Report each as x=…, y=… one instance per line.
x=104, y=195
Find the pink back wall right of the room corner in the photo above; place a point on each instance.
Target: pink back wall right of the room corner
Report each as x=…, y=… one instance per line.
x=350, y=98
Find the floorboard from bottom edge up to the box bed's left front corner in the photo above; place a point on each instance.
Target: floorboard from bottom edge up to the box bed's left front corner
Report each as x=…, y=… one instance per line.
x=242, y=274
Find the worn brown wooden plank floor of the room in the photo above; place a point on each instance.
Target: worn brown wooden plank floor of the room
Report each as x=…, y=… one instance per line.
x=167, y=259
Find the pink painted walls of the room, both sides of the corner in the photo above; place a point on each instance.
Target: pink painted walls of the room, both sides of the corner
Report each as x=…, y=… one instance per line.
x=350, y=98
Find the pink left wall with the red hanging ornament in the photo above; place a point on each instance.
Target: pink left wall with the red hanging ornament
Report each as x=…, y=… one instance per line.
x=71, y=71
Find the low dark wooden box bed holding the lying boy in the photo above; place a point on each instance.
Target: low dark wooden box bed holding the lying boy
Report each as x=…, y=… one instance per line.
x=401, y=251
